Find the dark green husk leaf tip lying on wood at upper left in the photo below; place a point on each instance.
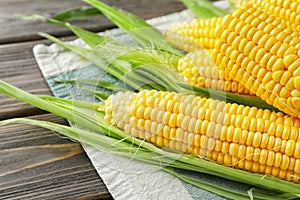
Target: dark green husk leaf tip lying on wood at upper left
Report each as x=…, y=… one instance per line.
x=75, y=13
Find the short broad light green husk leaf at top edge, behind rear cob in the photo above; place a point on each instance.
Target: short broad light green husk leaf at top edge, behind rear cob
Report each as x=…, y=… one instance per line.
x=204, y=9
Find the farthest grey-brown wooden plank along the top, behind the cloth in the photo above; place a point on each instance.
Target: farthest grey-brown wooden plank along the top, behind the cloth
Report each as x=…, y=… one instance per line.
x=17, y=30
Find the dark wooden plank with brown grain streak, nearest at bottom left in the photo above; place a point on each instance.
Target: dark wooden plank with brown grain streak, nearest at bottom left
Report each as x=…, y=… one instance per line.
x=38, y=164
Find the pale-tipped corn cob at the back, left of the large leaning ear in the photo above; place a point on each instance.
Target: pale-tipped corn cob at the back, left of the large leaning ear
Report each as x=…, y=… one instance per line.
x=192, y=35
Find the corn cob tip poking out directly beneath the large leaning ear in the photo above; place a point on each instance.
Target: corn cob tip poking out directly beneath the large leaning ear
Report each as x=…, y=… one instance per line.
x=198, y=69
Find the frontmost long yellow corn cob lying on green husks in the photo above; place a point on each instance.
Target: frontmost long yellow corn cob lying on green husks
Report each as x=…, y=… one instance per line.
x=244, y=137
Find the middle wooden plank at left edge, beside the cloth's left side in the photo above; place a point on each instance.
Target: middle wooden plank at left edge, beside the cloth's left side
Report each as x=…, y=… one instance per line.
x=18, y=67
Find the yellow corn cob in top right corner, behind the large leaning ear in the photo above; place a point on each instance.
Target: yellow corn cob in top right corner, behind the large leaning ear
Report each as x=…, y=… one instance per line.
x=288, y=10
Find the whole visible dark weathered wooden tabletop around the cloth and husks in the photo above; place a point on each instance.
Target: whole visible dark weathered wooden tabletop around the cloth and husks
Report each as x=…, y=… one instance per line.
x=36, y=163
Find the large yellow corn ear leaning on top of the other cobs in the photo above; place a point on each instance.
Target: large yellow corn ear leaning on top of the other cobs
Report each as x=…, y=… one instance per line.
x=262, y=56
